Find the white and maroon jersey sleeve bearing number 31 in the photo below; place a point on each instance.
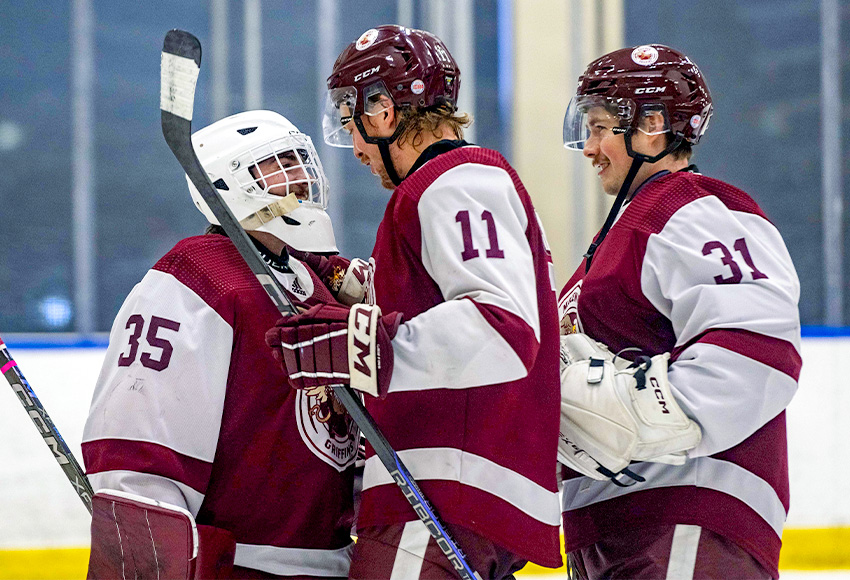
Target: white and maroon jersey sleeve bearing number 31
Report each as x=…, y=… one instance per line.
x=726, y=282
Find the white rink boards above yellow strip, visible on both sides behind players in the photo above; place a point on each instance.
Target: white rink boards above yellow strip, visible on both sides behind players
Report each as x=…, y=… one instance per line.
x=38, y=507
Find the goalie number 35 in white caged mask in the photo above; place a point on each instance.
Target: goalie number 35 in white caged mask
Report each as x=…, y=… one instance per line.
x=192, y=420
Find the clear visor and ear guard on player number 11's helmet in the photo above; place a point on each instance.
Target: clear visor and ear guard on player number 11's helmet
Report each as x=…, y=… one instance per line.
x=340, y=104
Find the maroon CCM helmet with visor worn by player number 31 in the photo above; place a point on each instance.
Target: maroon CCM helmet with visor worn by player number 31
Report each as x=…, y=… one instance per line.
x=634, y=82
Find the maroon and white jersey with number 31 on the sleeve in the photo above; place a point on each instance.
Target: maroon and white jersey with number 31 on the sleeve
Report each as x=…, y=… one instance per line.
x=693, y=267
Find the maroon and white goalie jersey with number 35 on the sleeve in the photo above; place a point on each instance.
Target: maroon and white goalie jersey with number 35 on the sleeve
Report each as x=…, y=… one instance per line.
x=192, y=409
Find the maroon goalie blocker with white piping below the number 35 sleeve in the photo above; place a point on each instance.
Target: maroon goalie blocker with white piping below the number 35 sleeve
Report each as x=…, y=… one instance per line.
x=136, y=537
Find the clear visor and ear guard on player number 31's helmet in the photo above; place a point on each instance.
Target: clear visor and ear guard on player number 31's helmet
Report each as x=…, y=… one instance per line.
x=592, y=116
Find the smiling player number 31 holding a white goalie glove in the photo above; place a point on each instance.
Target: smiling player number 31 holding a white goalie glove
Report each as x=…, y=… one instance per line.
x=687, y=270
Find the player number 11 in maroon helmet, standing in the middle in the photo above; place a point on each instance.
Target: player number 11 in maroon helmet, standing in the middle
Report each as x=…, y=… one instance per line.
x=458, y=354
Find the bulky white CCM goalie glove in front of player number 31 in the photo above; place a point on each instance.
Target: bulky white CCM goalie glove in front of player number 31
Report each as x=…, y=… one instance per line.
x=613, y=413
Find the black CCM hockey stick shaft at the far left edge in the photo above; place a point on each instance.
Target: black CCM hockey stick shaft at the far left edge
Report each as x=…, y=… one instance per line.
x=41, y=420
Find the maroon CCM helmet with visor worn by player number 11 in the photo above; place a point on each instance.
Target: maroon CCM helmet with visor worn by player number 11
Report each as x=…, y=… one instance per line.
x=413, y=68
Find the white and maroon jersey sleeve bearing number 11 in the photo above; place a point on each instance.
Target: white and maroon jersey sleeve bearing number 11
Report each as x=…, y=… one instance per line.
x=474, y=246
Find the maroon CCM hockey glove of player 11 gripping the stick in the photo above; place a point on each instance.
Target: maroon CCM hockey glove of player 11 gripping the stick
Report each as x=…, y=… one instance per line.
x=331, y=345
